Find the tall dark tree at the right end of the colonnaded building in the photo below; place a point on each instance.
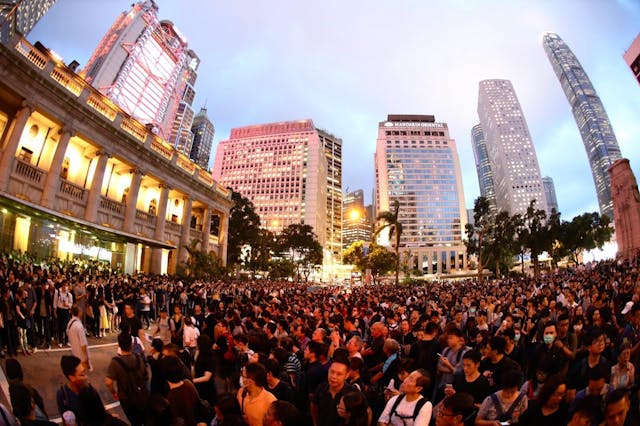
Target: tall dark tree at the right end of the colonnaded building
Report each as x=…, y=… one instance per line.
x=244, y=227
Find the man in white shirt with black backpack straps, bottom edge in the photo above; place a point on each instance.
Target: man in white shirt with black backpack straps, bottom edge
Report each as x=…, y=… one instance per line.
x=409, y=408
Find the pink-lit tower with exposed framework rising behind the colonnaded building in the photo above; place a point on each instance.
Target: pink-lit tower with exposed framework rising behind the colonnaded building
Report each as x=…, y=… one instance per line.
x=145, y=67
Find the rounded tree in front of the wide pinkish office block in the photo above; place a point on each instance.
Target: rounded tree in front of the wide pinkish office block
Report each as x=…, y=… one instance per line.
x=300, y=244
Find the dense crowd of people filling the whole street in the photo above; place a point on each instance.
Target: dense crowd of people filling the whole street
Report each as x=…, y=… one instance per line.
x=563, y=348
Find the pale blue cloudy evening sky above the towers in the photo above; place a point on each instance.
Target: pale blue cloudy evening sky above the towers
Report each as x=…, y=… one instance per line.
x=346, y=64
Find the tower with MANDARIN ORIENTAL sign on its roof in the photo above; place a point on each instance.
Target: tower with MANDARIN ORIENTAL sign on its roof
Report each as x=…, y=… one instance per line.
x=416, y=164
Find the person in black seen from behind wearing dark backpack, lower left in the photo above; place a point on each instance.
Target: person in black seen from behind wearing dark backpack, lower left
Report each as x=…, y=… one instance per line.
x=127, y=380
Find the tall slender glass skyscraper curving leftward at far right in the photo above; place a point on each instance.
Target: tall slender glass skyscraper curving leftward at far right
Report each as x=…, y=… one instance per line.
x=590, y=115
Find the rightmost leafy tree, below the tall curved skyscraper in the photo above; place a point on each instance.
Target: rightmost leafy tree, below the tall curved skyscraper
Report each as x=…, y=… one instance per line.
x=585, y=232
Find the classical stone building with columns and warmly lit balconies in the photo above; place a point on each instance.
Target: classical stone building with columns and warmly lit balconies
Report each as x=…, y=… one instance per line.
x=82, y=179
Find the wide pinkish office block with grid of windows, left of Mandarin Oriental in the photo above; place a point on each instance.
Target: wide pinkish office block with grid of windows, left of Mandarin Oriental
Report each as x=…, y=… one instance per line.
x=282, y=169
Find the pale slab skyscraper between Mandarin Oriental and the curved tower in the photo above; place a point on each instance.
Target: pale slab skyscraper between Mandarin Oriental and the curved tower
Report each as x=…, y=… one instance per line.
x=513, y=159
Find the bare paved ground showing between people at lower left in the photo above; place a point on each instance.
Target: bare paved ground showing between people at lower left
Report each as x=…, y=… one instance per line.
x=42, y=370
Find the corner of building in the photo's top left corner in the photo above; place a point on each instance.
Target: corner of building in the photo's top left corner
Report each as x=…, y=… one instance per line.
x=20, y=16
